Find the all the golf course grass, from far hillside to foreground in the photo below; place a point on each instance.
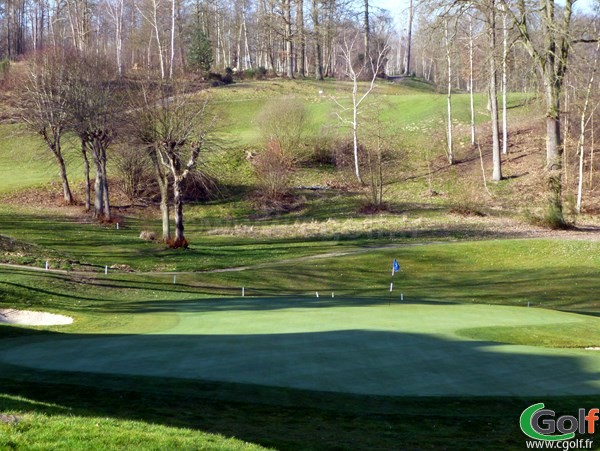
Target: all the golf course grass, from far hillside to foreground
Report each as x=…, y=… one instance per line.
x=165, y=354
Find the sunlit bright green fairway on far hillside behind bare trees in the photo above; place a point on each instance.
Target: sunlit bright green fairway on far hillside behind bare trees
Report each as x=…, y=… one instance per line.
x=407, y=111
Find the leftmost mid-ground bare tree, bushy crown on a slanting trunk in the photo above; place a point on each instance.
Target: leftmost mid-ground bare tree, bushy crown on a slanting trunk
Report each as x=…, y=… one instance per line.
x=44, y=106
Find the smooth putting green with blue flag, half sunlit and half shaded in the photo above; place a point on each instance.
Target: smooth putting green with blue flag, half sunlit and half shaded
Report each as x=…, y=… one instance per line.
x=366, y=347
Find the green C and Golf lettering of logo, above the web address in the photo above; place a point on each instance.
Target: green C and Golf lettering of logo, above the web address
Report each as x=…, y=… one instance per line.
x=541, y=424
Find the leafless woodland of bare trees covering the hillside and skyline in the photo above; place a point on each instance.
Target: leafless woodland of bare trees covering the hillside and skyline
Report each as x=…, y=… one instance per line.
x=145, y=75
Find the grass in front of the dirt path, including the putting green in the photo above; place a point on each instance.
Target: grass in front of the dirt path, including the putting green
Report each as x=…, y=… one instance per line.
x=364, y=371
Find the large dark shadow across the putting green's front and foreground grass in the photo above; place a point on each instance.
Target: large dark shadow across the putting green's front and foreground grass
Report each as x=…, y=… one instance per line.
x=415, y=368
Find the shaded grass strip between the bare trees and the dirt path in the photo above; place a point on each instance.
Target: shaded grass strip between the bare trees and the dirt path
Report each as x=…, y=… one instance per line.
x=96, y=245
